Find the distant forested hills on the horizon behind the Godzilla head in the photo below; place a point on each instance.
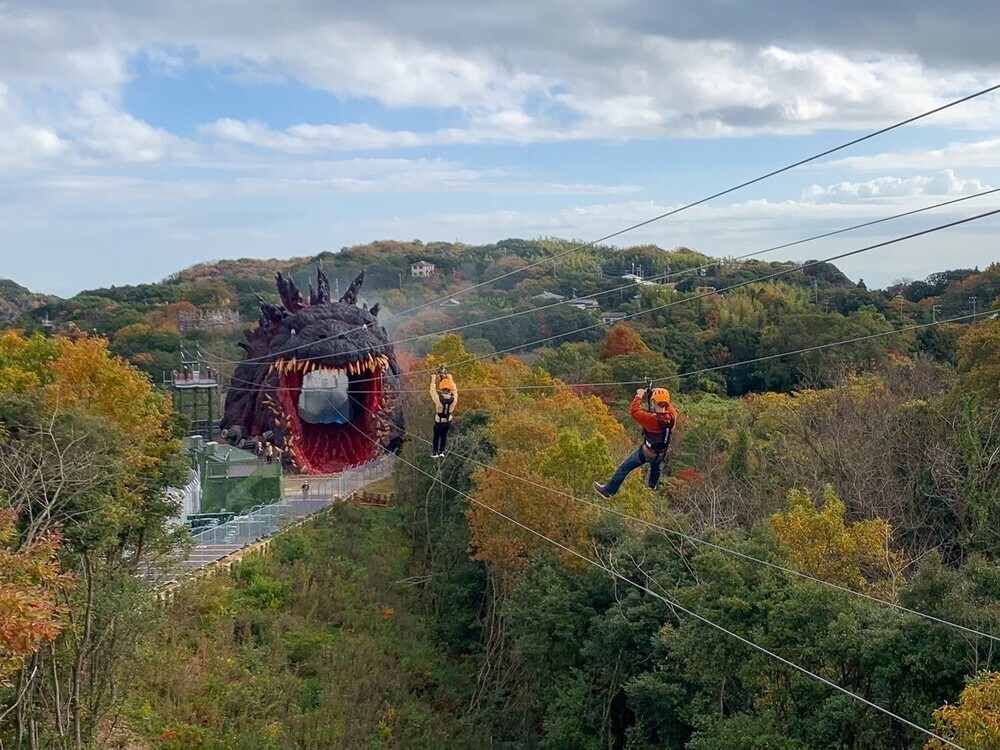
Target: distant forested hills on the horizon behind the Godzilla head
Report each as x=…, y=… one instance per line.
x=730, y=318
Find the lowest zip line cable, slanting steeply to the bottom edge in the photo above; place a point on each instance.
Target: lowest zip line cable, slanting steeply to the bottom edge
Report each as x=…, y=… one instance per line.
x=675, y=605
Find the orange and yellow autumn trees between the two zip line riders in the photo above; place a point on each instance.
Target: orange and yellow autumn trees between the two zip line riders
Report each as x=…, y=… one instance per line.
x=551, y=443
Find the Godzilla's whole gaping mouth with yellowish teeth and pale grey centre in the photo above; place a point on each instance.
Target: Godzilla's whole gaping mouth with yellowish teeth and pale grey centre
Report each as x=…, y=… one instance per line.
x=330, y=414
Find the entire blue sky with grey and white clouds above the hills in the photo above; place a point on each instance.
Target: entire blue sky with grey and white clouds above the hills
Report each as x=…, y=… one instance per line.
x=137, y=139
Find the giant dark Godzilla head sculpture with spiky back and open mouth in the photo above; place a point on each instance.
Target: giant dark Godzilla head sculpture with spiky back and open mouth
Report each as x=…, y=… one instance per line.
x=319, y=380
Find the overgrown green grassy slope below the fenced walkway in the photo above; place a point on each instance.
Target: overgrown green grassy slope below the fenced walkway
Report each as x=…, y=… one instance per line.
x=335, y=660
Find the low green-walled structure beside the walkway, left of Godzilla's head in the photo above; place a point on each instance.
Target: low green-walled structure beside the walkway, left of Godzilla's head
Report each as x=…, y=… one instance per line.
x=232, y=479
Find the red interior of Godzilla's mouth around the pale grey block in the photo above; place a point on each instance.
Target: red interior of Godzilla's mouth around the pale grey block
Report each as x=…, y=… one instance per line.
x=329, y=448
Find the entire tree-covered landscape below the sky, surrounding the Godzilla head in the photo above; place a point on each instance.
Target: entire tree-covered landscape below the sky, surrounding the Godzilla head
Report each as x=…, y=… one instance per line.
x=831, y=495
